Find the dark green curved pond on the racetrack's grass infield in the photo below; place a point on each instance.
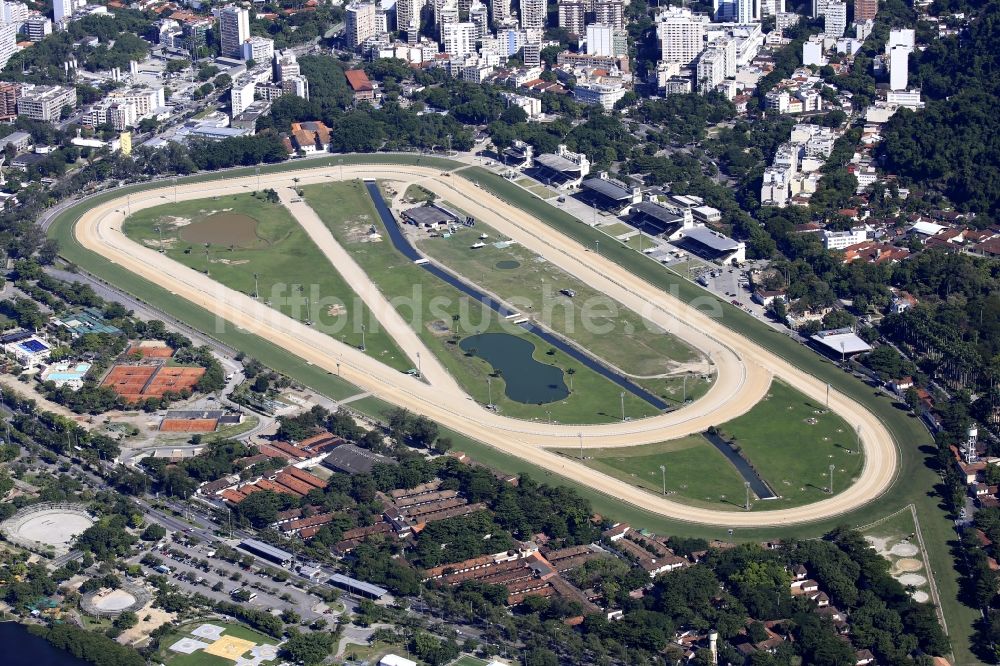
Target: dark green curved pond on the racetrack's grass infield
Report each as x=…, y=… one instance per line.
x=527, y=380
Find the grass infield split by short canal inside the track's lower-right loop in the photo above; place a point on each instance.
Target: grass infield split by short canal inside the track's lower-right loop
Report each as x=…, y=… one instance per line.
x=789, y=440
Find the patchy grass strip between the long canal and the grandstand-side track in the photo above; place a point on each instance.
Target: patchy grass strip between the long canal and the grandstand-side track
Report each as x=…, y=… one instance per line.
x=594, y=321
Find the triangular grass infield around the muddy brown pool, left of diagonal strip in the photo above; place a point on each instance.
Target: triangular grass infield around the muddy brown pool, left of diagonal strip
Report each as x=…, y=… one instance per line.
x=291, y=272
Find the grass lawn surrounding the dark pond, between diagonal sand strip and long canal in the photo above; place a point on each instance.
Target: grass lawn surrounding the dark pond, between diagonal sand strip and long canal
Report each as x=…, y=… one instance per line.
x=444, y=316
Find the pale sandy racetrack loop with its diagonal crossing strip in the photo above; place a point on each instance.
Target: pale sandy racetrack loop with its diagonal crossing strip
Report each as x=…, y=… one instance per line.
x=744, y=370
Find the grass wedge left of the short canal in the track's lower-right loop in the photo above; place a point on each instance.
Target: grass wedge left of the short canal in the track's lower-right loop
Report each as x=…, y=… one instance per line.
x=686, y=461
